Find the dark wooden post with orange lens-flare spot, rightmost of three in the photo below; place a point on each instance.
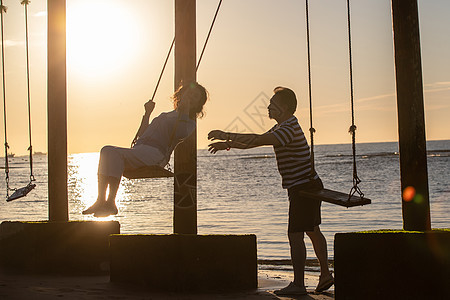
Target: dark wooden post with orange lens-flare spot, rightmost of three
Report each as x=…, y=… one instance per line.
x=411, y=120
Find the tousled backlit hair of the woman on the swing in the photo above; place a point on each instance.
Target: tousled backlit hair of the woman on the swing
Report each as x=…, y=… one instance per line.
x=196, y=107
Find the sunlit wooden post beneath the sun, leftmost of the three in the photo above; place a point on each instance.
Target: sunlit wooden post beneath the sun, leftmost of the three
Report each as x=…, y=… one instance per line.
x=57, y=119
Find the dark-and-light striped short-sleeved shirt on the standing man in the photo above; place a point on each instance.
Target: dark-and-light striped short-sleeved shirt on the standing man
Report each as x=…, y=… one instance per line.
x=293, y=155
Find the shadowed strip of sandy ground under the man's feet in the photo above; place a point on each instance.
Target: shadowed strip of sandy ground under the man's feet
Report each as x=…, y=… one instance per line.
x=36, y=287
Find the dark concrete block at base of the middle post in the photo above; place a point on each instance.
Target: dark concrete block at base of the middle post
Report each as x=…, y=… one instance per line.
x=185, y=262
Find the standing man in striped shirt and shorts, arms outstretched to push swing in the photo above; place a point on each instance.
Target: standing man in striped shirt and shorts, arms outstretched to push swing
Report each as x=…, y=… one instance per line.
x=294, y=164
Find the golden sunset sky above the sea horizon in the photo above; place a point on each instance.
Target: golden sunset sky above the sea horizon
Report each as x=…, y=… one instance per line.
x=116, y=49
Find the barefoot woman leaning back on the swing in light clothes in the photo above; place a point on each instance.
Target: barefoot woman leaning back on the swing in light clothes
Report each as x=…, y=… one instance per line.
x=153, y=144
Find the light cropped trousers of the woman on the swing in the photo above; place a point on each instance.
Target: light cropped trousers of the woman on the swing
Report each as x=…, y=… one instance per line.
x=115, y=160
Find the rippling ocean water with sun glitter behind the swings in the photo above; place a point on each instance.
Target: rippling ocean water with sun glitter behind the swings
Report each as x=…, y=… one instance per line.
x=239, y=192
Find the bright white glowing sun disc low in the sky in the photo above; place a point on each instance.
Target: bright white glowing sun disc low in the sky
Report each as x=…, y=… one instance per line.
x=102, y=37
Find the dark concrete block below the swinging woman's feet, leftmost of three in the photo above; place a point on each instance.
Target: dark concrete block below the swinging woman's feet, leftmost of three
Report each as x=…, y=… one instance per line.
x=56, y=247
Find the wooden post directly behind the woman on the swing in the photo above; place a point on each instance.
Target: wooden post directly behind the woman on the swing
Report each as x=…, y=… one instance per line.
x=185, y=184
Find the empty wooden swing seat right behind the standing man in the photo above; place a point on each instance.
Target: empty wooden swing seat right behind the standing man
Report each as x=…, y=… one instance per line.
x=335, y=197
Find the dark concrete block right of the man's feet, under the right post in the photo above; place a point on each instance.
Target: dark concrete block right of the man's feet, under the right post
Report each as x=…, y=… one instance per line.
x=392, y=265
